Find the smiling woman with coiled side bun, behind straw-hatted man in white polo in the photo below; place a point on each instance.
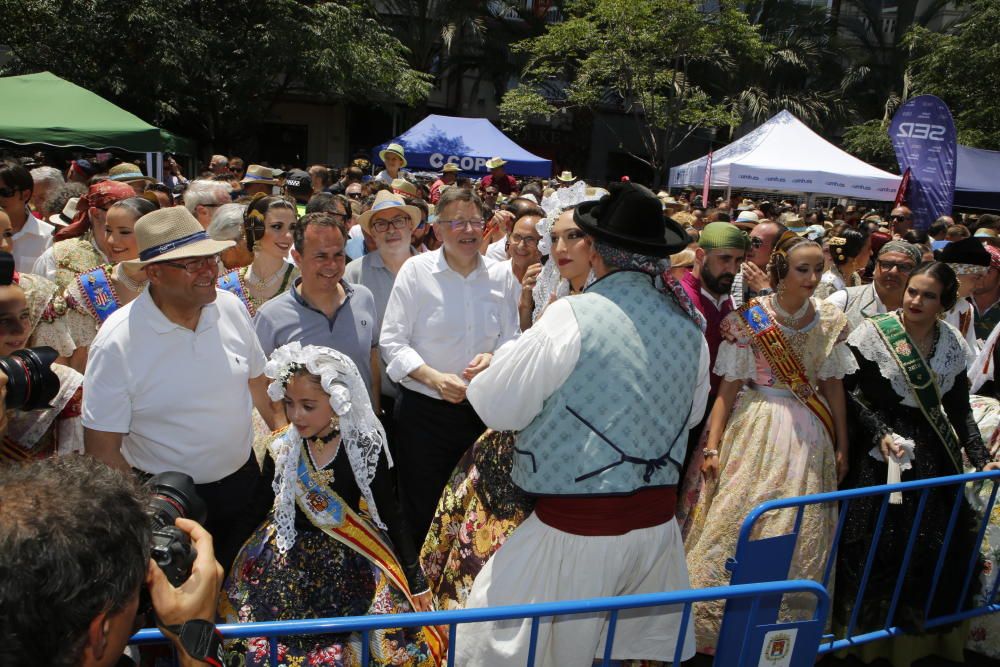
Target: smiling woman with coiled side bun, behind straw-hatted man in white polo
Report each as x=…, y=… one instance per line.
x=267, y=228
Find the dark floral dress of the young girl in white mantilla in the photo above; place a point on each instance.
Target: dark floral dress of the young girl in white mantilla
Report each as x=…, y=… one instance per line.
x=319, y=577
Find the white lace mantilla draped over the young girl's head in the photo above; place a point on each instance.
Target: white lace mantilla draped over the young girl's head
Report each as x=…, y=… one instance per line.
x=361, y=433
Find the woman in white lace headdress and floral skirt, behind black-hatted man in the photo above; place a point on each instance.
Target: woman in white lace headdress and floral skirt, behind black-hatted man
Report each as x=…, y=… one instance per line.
x=480, y=507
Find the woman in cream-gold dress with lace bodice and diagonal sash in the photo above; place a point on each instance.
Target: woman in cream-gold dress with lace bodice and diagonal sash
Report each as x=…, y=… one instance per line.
x=785, y=435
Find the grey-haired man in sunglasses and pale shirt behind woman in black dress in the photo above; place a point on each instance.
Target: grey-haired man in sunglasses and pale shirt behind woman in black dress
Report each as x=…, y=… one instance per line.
x=896, y=260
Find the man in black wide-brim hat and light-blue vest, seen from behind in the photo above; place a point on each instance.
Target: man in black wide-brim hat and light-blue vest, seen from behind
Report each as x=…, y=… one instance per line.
x=606, y=386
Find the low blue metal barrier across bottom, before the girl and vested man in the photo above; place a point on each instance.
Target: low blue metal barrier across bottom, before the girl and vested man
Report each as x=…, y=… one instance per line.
x=793, y=643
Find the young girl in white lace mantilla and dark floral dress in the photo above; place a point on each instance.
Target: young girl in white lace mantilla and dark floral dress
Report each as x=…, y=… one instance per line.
x=319, y=554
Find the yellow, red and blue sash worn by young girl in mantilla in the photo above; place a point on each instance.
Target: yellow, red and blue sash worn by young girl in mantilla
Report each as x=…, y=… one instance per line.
x=328, y=512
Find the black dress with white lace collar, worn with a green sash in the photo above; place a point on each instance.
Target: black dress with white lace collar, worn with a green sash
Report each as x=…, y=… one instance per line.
x=880, y=402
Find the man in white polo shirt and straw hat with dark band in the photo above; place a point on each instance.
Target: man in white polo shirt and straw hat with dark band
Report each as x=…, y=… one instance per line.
x=172, y=377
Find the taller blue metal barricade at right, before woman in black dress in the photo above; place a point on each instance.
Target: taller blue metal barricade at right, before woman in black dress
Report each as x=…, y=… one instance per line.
x=770, y=558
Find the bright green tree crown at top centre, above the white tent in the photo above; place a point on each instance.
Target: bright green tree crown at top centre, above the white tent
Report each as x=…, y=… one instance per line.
x=644, y=58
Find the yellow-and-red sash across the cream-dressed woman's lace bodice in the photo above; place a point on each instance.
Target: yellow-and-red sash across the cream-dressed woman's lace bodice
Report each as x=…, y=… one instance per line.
x=766, y=336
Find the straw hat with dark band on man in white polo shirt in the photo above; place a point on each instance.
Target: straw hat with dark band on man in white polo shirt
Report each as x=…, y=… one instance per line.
x=172, y=233
